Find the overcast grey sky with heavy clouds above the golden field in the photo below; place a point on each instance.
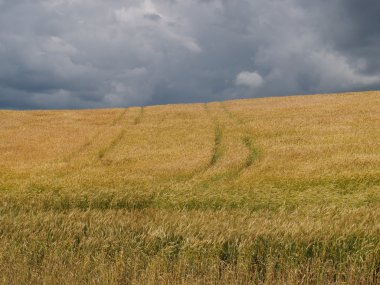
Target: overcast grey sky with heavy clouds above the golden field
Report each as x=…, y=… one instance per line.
x=92, y=54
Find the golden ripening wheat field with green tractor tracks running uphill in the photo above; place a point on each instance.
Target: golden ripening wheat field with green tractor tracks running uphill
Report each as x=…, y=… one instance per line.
x=258, y=191
